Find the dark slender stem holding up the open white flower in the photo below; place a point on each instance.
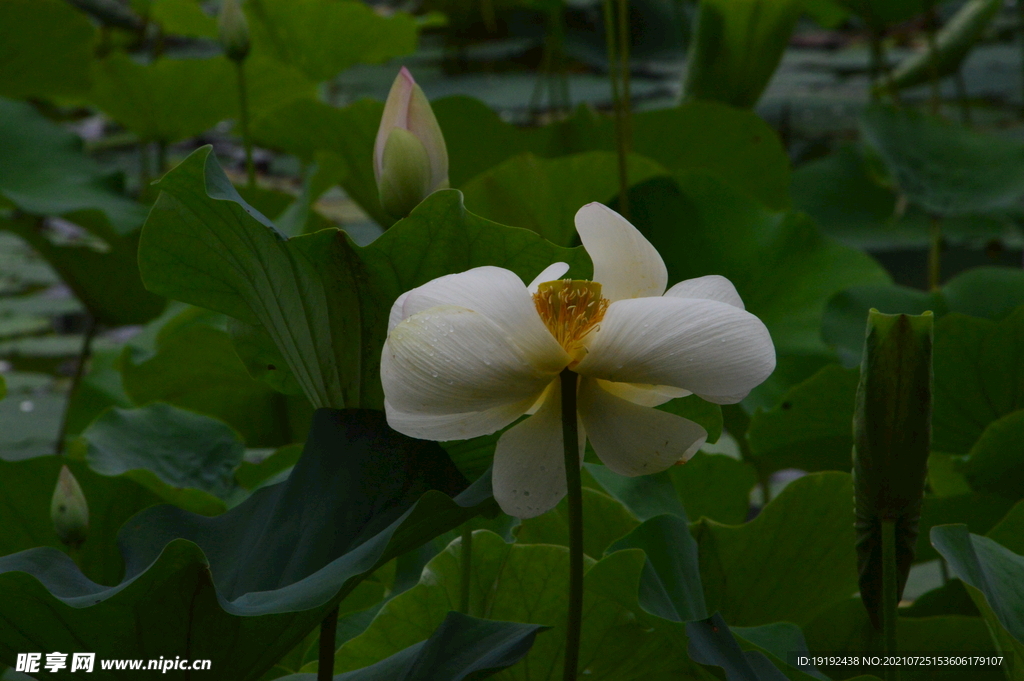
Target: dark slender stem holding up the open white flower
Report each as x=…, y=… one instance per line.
x=571, y=441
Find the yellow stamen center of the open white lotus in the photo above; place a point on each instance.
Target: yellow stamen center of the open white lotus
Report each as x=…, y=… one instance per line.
x=572, y=310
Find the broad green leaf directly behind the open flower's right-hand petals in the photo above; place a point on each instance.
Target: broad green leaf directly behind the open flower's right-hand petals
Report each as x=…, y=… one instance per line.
x=783, y=268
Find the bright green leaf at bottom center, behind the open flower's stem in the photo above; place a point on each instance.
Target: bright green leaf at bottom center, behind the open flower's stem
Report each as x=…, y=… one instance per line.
x=528, y=583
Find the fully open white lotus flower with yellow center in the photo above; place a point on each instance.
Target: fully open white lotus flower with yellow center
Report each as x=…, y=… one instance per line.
x=470, y=354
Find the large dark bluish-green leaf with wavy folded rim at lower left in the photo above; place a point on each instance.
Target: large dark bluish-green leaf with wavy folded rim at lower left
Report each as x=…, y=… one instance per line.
x=258, y=578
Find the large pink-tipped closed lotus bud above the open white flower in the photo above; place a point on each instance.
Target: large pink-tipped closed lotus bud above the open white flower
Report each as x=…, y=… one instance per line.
x=413, y=163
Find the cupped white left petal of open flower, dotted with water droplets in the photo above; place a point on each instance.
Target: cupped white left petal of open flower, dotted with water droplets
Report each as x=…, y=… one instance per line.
x=451, y=360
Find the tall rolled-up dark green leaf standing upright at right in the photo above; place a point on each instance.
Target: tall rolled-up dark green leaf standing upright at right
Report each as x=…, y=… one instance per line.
x=892, y=427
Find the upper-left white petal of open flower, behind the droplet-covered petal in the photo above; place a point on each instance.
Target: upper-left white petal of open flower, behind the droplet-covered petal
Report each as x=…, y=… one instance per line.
x=500, y=295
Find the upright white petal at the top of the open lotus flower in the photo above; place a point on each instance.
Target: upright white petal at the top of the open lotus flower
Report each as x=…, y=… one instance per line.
x=625, y=264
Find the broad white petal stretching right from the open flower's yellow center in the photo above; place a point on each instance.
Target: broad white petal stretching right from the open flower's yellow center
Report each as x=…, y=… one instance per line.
x=706, y=347
